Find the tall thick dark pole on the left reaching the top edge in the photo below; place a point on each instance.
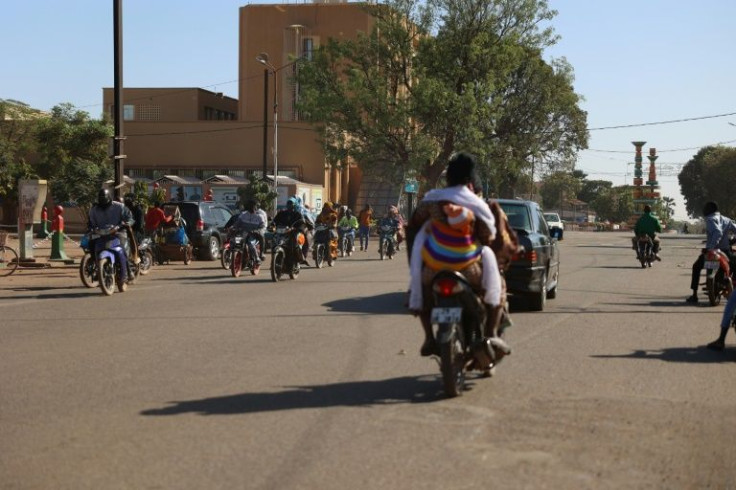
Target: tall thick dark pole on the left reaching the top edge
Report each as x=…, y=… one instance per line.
x=118, y=138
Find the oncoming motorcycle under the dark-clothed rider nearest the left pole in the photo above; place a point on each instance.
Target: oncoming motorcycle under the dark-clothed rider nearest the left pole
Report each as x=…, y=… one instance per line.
x=108, y=257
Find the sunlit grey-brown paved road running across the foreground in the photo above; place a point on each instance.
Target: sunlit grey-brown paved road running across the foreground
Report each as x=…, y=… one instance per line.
x=193, y=379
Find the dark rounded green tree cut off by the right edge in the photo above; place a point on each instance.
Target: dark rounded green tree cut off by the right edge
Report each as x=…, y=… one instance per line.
x=709, y=176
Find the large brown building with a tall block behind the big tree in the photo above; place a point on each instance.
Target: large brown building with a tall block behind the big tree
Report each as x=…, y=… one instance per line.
x=195, y=133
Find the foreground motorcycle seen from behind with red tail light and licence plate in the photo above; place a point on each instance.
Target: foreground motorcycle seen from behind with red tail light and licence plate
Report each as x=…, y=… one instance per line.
x=458, y=318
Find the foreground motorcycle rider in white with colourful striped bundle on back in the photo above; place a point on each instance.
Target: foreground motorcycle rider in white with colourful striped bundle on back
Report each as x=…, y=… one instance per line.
x=452, y=228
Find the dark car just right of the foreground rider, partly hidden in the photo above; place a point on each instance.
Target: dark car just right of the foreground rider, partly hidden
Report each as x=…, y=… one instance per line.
x=534, y=272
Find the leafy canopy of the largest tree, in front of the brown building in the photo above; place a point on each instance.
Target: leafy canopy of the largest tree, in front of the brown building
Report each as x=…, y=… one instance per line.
x=432, y=78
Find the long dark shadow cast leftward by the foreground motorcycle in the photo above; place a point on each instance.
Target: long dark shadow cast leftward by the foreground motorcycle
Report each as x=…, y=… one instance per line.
x=408, y=389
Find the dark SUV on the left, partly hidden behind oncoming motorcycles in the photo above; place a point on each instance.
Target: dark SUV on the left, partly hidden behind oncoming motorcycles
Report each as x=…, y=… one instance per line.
x=205, y=225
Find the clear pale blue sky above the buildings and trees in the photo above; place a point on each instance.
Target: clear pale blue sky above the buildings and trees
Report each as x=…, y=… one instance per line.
x=637, y=63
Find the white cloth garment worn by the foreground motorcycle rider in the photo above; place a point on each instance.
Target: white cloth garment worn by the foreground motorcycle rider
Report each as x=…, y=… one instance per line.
x=491, y=278
